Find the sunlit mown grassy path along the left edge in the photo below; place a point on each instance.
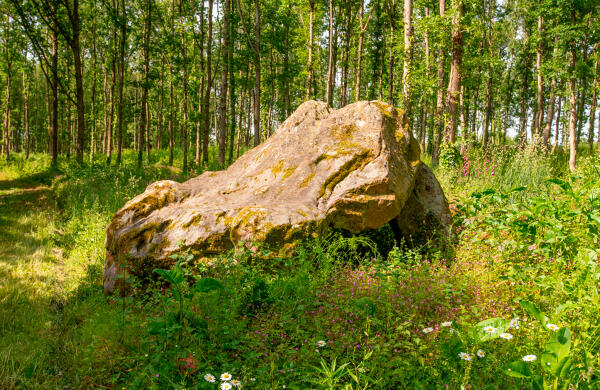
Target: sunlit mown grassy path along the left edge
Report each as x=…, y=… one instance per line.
x=31, y=273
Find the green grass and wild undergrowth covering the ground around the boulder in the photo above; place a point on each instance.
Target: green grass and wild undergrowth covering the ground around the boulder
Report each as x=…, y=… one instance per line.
x=263, y=324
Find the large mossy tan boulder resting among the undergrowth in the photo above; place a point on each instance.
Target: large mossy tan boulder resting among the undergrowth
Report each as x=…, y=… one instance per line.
x=355, y=168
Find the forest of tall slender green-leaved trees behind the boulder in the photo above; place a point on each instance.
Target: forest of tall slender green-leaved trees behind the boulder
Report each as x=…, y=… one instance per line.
x=87, y=77
